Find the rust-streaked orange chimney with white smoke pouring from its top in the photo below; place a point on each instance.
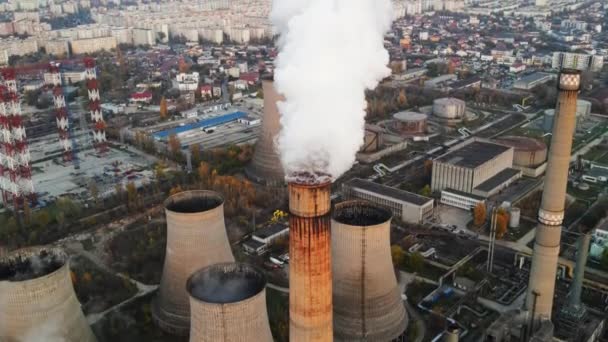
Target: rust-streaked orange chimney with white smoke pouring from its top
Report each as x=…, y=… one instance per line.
x=310, y=298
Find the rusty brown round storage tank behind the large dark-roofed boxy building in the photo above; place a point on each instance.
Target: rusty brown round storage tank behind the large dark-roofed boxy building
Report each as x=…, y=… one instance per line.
x=528, y=152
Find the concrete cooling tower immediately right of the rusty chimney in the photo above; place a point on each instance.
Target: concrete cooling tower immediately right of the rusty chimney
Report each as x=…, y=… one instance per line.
x=367, y=299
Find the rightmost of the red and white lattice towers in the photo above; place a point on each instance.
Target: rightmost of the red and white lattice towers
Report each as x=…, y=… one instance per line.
x=99, y=125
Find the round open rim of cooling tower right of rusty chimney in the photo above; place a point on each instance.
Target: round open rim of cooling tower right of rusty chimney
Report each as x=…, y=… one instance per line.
x=379, y=215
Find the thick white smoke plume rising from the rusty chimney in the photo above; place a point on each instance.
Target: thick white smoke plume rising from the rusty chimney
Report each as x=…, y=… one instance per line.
x=330, y=52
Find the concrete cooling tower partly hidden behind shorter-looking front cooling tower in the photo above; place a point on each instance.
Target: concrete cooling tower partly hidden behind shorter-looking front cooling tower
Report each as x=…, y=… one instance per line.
x=196, y=238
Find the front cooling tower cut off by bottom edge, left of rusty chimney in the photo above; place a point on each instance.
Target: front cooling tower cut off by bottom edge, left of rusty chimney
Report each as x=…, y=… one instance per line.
x=228, y=304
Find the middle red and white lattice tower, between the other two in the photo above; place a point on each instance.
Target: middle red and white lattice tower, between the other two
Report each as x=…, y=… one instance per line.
x=61, y=112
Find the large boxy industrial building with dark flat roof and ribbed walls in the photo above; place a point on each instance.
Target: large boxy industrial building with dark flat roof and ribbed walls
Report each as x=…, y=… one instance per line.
x=474, y=166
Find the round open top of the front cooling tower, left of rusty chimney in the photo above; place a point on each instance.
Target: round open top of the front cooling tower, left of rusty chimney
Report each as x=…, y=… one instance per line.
x=235, y=270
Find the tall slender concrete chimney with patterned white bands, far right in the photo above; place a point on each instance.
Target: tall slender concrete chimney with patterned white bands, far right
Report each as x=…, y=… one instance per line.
x=541, y=285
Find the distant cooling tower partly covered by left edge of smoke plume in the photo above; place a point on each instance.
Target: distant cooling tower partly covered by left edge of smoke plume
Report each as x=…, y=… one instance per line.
x=265, y=166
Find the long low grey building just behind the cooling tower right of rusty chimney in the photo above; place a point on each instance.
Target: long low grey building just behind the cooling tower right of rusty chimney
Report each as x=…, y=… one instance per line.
x=406, y=206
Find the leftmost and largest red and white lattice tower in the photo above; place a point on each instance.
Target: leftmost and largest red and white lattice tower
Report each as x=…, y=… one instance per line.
x=19, y=159
